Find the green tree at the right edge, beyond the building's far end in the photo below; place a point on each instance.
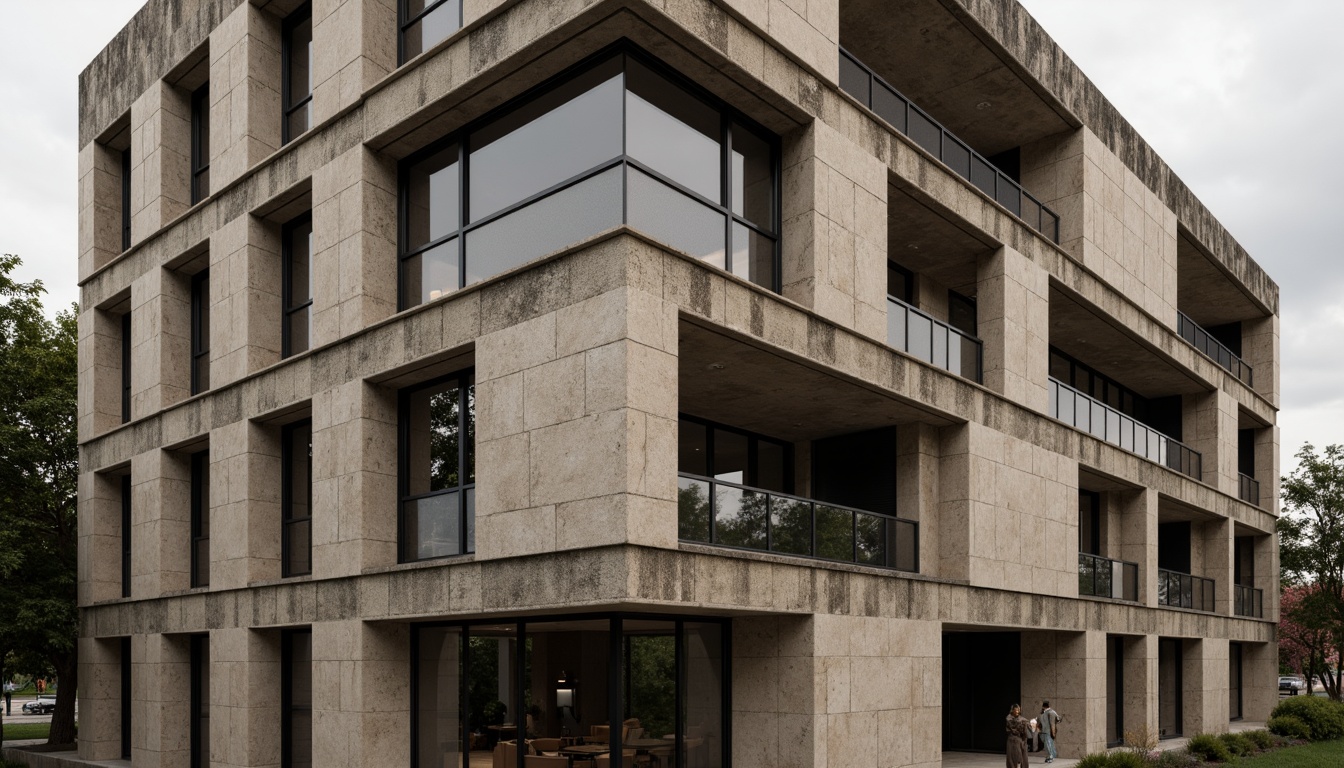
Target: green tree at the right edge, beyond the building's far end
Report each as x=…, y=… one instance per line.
x=1311, y=535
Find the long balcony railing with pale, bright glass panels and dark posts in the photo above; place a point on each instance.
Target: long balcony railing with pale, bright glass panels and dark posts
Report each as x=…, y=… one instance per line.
x=1105, y=423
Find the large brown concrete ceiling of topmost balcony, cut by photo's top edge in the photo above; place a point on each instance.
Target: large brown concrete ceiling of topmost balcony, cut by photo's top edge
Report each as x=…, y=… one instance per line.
x=928, y=54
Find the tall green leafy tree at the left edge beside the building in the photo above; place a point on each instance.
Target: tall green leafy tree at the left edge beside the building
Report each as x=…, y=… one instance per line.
x=41, y=465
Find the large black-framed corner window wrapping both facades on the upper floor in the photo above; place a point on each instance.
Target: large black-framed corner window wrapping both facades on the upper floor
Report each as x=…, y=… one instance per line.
x=619, y=142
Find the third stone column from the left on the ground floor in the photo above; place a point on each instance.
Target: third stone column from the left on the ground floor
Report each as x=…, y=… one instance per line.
x=244, y=699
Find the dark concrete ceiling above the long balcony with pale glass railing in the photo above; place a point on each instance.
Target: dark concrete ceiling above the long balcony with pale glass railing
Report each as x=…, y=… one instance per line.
x=1114, y=352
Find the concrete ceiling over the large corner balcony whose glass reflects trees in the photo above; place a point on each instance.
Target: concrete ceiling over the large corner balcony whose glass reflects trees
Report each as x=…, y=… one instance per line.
x=776, y=396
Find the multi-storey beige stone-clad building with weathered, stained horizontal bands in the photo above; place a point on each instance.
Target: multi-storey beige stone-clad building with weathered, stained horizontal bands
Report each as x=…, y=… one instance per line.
x=806, y=380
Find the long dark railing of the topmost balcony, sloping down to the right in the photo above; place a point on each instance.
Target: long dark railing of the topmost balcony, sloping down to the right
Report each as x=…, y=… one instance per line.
x=905, y=116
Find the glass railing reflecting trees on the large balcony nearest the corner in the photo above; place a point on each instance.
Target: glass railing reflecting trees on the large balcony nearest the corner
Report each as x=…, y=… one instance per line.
x=740, y=517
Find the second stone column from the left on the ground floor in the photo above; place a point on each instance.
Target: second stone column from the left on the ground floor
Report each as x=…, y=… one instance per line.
x=162, y=700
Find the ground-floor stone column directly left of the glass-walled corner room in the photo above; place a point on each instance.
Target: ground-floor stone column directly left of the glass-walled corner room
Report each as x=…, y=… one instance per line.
x=360, y=719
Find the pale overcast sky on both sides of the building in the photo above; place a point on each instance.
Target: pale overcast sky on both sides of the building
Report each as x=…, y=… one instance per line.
x=1244, y=99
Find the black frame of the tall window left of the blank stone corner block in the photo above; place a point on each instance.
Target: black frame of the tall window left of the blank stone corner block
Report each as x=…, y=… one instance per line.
x=466, y=381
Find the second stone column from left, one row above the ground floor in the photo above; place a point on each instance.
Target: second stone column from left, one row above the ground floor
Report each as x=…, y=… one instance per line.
x=161, y=524
